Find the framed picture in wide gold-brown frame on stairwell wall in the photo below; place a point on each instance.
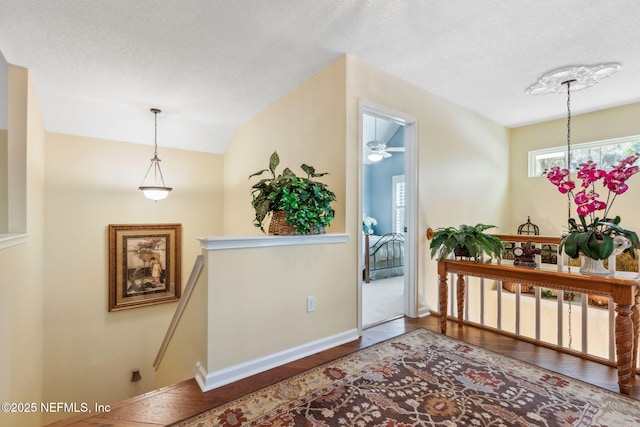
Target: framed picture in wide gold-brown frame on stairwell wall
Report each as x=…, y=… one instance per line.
x=144, y=265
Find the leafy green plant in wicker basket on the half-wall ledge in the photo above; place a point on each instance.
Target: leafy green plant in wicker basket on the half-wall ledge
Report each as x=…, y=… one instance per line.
x=300, y=204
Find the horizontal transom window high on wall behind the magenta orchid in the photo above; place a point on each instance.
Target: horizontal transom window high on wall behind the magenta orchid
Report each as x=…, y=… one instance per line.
x=605, y=153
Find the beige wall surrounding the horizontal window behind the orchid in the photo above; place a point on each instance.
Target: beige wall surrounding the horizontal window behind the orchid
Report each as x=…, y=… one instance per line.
x=537, y=198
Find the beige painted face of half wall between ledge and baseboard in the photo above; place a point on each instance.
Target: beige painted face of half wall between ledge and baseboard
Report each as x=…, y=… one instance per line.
x=260, y=309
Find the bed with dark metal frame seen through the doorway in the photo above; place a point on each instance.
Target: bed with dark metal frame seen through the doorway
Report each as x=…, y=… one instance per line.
x=384, y=256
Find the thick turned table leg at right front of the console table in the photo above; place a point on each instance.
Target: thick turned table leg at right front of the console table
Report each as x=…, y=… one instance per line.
x=624, y=347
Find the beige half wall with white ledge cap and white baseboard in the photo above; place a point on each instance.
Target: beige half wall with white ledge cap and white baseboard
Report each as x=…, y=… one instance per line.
x=257, y=287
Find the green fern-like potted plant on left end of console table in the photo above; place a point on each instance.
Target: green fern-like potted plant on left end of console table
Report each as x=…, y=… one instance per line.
x=465, y=241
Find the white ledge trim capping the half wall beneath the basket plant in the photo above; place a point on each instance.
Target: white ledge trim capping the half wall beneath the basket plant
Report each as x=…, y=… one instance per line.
x=241, y=242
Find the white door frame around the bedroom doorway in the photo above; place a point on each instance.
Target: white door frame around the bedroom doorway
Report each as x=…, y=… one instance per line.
x=410, y=124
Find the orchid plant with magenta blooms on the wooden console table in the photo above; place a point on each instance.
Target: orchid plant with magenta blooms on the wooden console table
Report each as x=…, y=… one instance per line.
x=592, y=236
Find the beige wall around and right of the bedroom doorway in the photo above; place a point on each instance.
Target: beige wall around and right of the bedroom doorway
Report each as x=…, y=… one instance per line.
x=462, y=160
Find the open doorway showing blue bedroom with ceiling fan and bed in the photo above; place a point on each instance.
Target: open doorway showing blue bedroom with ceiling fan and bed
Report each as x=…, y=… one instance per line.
x=387, y=289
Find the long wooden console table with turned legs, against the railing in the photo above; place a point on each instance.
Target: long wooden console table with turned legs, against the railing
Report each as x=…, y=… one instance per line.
x=622, y=289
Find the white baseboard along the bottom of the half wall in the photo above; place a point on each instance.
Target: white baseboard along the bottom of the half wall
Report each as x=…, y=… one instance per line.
x=210, y=380
